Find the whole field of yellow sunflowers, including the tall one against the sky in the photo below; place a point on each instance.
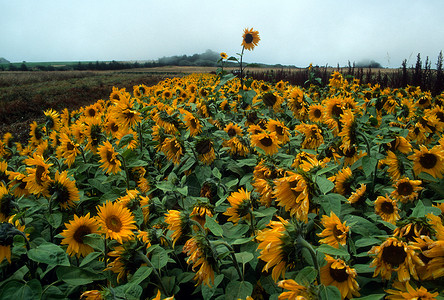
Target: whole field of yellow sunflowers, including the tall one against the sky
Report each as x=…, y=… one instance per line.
x=215, y=186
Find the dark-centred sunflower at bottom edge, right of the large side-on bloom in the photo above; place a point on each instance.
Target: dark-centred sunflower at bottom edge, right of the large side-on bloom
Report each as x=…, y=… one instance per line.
x=337, y=273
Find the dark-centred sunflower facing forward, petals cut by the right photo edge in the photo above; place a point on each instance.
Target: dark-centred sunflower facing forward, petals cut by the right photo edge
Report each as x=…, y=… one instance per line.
x=429, y=161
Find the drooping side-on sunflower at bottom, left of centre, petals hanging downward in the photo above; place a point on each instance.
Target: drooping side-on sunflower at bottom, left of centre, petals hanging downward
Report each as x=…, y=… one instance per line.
x=200, y=254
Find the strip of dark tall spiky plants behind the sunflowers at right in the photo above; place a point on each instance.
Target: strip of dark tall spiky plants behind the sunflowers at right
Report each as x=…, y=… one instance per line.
x=421, y=74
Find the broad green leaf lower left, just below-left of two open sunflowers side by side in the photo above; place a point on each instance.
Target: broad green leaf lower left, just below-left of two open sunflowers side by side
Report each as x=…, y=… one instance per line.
x=49, y=254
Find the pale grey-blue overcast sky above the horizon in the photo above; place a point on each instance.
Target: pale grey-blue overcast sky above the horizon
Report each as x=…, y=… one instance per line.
x=292, y=32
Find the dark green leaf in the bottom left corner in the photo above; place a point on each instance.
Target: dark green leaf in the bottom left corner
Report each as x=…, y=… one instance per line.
x=21, y=290
